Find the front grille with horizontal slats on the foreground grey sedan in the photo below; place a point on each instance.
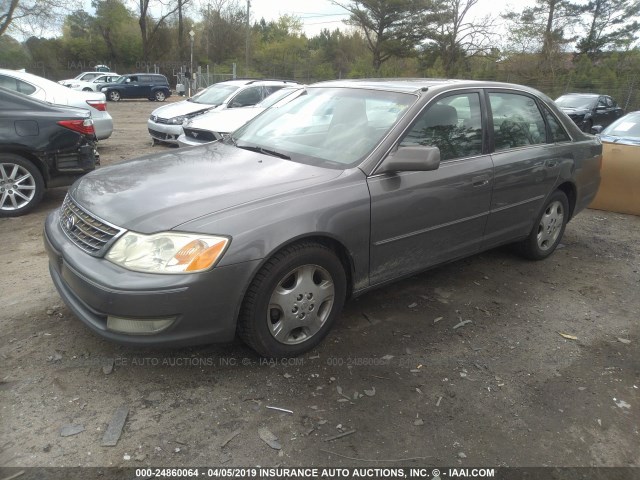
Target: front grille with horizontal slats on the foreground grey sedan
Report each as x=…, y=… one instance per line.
x=92, y=235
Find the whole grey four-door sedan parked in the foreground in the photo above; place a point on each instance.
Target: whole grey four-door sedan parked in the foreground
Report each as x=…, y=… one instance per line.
x=349, y=186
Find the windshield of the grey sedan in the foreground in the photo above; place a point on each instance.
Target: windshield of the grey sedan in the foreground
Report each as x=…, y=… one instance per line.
x=334, y=127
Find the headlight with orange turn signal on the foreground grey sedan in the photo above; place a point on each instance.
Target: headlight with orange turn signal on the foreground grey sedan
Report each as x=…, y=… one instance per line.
x=167, y=252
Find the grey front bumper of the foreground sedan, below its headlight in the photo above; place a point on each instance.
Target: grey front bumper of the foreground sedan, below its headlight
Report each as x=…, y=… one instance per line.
x=205, y=305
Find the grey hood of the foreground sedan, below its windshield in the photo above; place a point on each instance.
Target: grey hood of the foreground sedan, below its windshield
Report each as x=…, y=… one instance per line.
x=160, y=192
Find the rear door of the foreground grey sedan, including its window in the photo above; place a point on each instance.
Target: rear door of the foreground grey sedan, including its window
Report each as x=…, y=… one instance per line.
x=526, y=164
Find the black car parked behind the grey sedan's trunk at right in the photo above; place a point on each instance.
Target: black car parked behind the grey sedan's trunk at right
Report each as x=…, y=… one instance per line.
x=589, y=109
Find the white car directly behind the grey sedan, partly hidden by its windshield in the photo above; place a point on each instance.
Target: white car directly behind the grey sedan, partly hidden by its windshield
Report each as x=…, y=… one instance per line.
x=214, y=125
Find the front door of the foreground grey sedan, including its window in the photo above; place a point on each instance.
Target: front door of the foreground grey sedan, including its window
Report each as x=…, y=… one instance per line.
x=419, y=219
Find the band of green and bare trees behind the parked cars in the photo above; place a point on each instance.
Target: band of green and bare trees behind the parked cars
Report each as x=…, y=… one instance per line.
x=553, y=44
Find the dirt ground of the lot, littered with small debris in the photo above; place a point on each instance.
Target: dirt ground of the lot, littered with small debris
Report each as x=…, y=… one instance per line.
x=489, y=361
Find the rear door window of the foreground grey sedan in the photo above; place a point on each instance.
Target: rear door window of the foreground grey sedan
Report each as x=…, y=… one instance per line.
x=517, y=121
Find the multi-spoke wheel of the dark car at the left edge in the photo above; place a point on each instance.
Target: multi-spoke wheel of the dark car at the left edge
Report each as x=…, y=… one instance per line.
x=21, y=185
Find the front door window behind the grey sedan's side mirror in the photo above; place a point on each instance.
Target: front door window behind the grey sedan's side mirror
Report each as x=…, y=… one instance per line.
x=453, y=124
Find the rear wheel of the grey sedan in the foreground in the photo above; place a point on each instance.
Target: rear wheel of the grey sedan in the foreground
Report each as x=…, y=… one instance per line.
x=548, y=229
